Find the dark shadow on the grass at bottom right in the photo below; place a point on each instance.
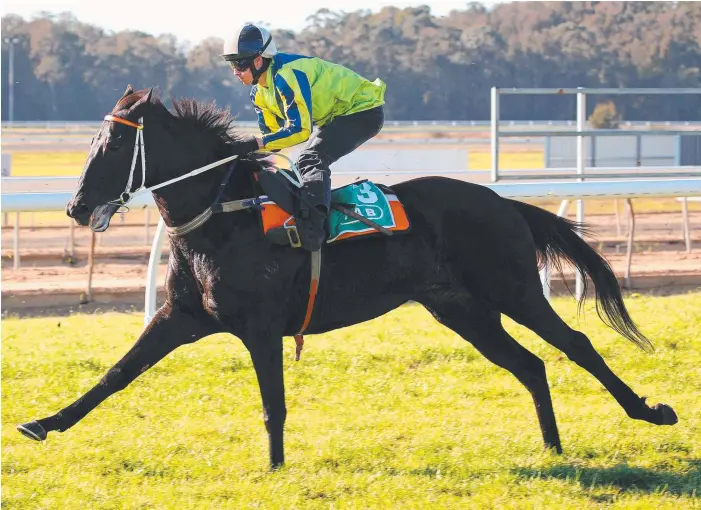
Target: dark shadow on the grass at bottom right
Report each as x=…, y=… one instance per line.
x=686, y=481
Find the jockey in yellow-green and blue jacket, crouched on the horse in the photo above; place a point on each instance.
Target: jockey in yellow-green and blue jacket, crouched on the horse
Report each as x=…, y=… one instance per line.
x=293, y=93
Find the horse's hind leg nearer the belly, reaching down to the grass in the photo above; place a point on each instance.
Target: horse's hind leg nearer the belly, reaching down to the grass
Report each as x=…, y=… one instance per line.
x=481, y=326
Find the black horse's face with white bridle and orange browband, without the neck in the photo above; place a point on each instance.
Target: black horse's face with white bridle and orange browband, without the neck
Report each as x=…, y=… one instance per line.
x=113, y=166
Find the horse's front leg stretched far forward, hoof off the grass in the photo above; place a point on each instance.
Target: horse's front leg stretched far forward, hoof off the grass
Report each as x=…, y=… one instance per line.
x=170, y=328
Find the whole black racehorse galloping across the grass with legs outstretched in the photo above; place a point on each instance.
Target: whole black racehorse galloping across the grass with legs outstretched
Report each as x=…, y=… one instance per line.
x=470, y=256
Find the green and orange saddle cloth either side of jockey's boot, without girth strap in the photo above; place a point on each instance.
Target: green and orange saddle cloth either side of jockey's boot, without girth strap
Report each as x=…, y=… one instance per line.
x=361, y=208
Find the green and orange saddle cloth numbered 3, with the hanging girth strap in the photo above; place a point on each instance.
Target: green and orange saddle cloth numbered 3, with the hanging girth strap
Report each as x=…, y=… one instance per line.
x=358, y=209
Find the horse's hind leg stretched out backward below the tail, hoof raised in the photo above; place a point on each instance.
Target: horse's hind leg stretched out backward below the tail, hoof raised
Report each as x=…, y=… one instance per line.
x=535, y=313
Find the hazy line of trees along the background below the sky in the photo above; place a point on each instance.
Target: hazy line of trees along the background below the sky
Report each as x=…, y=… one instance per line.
x=436, y=68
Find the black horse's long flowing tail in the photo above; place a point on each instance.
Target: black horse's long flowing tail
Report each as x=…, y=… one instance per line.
x=558, y=238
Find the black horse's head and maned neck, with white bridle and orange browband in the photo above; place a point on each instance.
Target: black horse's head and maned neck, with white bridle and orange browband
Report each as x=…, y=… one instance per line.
x=119, y=163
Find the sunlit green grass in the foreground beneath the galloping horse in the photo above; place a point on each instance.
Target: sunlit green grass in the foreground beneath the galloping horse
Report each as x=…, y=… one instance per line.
x=397, y=412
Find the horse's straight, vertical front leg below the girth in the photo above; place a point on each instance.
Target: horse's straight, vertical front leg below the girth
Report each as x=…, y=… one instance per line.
x=266, y=354
